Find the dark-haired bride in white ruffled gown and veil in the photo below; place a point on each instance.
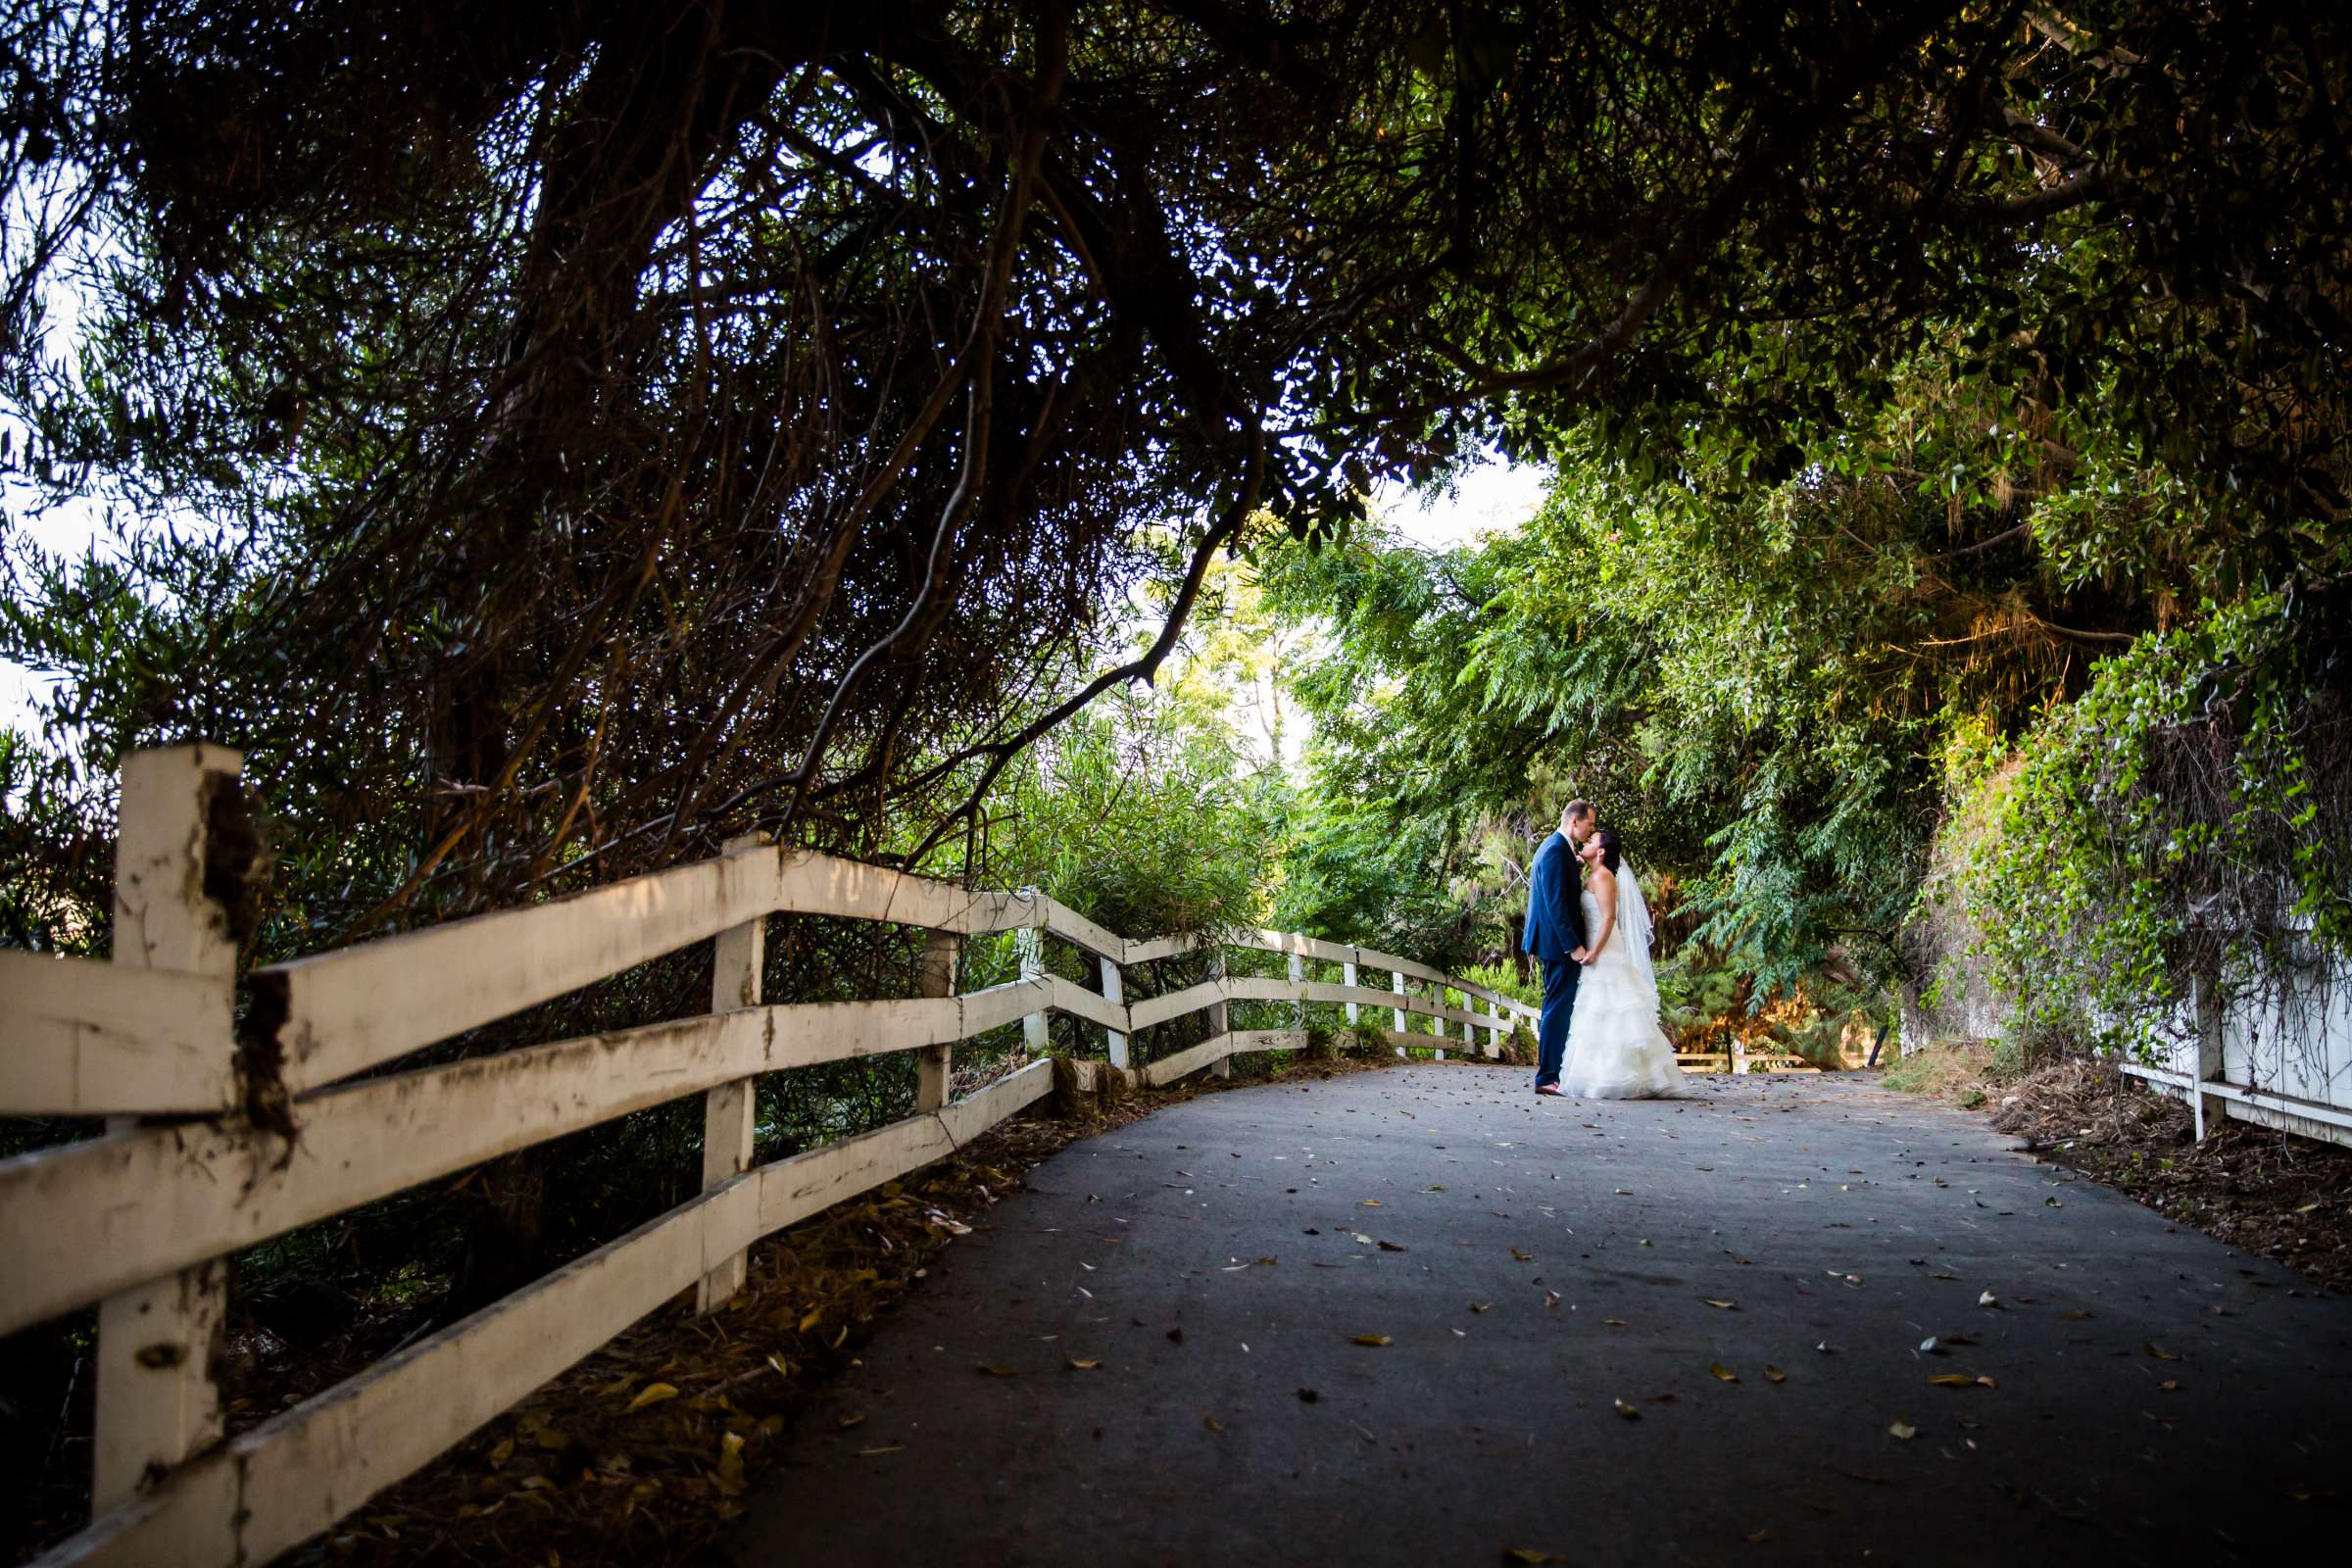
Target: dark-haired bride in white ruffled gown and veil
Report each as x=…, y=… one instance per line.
x=1617, y=1050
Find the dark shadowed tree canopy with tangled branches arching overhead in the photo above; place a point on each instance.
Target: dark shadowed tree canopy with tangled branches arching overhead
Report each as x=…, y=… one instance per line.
x=580, y=434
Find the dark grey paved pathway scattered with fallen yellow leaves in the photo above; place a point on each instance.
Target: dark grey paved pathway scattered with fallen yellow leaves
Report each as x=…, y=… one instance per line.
x=1532, y=1264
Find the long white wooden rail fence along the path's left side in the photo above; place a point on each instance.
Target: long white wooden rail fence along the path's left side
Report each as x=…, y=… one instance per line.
x=215, y=1146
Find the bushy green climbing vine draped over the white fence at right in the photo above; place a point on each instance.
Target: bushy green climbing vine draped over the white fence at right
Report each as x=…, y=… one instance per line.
x=2179, y=824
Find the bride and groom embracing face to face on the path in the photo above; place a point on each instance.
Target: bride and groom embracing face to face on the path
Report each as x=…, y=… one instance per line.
x=1601, y=1036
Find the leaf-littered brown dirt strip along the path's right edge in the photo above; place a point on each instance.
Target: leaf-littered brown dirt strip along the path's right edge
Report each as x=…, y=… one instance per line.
x=2252, y=1188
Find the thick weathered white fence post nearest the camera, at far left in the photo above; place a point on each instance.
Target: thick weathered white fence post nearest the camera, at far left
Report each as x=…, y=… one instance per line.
x=156, y=1402
